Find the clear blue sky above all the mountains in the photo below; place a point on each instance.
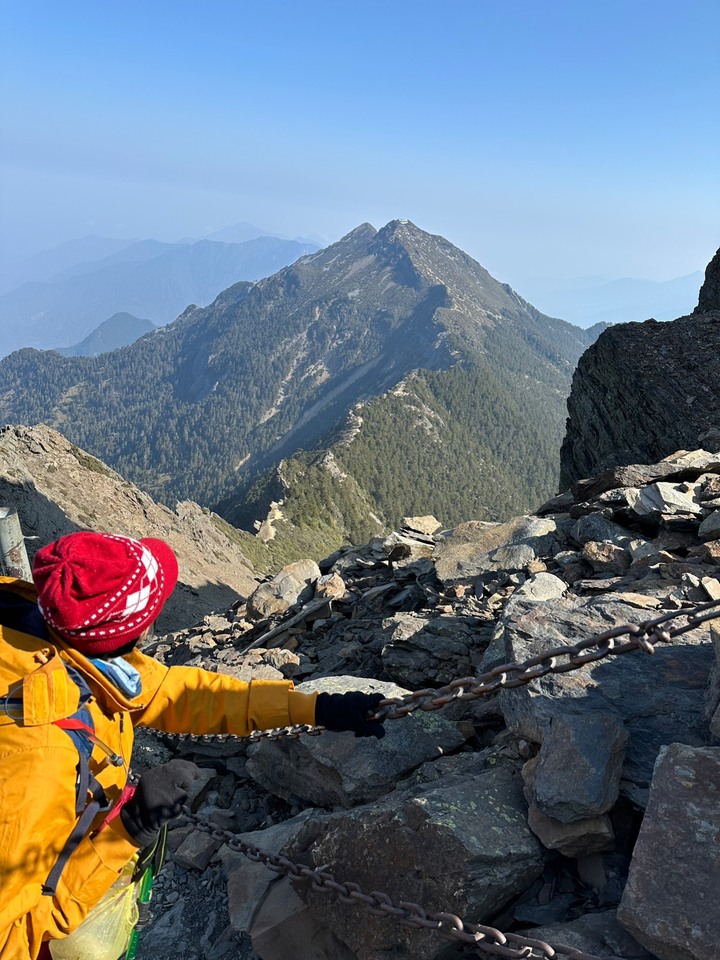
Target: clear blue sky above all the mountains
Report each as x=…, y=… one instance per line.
x=546, y=138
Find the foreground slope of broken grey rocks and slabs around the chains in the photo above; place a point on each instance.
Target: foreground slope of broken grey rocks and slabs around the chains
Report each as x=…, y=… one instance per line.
x=555, y=810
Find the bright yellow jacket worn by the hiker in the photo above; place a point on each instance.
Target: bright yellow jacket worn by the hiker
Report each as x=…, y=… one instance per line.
x=38, y=766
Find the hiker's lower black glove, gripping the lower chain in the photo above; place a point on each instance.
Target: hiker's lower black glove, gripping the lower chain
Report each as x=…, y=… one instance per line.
x=159, y=797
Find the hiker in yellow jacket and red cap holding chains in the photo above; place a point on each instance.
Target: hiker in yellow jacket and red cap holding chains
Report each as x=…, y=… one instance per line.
x=73, y=685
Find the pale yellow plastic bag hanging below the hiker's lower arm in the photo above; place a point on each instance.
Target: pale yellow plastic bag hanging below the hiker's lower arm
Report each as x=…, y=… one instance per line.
x=104, y=933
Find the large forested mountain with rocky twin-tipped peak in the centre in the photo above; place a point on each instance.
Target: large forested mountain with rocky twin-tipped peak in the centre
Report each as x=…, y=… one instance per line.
x=389, y=368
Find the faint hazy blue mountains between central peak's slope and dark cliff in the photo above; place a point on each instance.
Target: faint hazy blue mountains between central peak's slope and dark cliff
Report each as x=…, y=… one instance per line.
x=591, y=300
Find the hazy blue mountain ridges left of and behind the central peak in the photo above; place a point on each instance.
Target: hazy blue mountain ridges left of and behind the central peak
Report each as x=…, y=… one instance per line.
x=146, y=278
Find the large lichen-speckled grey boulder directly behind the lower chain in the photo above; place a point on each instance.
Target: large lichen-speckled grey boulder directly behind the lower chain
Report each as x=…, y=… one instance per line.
x=461, y=844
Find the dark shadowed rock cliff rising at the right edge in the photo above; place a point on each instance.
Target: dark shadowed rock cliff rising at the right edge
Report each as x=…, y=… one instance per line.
x=643, y=390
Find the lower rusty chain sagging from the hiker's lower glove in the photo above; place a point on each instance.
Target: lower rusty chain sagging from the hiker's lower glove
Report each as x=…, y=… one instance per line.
x=488, y=940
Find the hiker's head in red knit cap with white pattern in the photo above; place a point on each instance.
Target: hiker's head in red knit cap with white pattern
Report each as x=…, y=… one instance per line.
x=100, y=592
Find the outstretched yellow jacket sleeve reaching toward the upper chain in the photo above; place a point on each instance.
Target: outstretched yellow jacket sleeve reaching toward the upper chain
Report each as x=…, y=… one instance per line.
x=191, y=700
